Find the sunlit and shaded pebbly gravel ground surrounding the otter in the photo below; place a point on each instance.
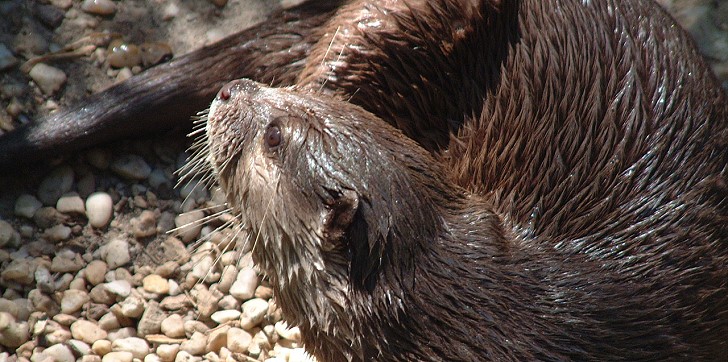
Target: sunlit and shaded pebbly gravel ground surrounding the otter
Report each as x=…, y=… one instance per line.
x=89, y=267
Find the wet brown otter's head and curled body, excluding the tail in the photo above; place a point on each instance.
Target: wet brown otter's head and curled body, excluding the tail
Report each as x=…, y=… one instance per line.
x=556, y=190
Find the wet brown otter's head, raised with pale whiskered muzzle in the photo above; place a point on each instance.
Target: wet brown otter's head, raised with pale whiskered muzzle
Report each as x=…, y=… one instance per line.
x=335, y=202
